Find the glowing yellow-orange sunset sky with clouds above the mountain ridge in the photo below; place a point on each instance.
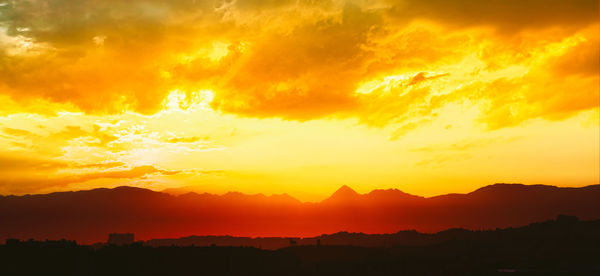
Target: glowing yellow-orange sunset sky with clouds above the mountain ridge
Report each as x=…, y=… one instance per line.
x=298, y=96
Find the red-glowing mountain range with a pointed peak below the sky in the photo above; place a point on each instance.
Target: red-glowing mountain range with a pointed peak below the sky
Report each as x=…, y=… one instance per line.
x=88, y=216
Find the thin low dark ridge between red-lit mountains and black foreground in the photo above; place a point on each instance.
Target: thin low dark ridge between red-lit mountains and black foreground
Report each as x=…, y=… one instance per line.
x=562, y=225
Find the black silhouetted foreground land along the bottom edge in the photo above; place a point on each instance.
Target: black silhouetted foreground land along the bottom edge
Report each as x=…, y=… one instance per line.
x=564, y=246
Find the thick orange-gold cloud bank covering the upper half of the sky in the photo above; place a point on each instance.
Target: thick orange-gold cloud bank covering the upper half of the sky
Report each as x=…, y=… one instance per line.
x=106, y=57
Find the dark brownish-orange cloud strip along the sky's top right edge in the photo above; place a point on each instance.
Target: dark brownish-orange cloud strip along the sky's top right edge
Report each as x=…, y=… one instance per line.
x=509, y=16
